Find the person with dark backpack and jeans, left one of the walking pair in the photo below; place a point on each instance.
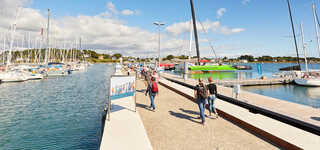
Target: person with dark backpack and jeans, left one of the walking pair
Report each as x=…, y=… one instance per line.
x=201, y=94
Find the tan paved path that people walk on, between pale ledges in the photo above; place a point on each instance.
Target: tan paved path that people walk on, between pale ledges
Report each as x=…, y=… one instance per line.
x=175, y=125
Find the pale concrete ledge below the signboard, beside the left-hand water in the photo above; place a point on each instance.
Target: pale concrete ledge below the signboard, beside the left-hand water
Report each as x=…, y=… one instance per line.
x=125, y=130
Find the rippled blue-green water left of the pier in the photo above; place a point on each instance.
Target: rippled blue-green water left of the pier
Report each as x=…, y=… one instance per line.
x=57, y=113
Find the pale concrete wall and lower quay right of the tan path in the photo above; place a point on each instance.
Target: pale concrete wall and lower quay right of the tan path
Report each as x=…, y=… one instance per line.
x=285, y=135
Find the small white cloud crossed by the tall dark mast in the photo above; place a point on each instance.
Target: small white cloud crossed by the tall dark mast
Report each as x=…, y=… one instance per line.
x=214, y=26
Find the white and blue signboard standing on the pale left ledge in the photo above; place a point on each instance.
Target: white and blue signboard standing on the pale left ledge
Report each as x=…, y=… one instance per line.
x=122, y=86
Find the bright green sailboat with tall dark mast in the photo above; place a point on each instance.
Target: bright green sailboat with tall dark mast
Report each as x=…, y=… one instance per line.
x=205, y=67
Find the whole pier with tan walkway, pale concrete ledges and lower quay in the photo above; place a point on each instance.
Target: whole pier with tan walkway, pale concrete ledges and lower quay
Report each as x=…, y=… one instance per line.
x=175, y=124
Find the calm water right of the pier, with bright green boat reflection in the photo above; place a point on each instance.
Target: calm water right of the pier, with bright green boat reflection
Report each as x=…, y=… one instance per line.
x=309, y=96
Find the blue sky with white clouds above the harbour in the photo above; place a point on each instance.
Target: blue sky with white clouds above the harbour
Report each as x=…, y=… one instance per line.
x=231, y=27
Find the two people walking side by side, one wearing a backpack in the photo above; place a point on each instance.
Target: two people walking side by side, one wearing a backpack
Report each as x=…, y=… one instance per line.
x=204, y=93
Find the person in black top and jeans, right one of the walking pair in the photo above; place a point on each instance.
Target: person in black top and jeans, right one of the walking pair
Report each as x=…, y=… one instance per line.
x=212, y=96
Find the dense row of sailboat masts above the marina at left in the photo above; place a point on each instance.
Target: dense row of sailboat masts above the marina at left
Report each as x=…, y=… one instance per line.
x=34, y=47
